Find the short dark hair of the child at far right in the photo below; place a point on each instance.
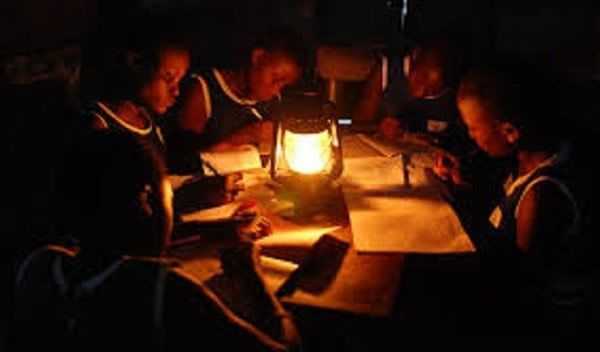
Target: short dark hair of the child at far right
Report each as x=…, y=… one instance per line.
x=525, y=94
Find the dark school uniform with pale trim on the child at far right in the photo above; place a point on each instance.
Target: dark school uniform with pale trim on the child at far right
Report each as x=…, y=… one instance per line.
x=548, y=288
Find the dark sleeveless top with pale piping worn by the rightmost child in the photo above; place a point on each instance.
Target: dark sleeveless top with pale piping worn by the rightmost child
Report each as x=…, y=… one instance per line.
x=546, y=271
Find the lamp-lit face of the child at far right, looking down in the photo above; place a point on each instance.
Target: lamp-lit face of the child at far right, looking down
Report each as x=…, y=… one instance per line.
x=489, y=134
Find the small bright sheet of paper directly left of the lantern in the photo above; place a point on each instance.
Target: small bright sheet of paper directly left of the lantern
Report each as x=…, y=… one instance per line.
x=245, y=157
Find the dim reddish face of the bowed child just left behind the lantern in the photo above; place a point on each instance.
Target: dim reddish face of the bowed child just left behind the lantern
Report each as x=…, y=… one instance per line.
x=269, y=73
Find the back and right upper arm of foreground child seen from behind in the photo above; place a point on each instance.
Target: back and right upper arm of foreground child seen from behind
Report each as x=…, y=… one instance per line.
x=137, y=303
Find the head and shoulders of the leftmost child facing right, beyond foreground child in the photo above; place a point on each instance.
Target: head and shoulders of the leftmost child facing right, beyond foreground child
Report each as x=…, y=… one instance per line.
x=129, y=78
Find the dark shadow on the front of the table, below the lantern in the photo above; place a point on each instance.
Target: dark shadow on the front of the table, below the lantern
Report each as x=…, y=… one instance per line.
x=319, y=269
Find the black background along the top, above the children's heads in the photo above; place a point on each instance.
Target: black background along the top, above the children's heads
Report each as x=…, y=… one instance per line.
x=565, y=32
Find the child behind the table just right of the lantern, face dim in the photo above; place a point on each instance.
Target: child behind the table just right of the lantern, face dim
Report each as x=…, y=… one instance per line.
x=418, y=94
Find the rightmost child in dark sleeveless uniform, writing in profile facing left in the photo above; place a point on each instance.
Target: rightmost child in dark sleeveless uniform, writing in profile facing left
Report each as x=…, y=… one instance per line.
x=530, y=238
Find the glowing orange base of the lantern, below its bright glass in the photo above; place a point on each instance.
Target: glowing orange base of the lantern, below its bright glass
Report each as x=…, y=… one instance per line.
x=308, y=193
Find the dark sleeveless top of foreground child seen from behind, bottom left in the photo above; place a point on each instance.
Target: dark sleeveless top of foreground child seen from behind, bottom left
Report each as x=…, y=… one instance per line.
x=89, y=310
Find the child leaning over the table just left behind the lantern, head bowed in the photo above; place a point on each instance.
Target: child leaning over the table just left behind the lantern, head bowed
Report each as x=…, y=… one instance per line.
x=226, y=106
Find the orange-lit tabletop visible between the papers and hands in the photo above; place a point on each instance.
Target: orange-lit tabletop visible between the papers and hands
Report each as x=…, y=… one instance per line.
x=364, y=284
